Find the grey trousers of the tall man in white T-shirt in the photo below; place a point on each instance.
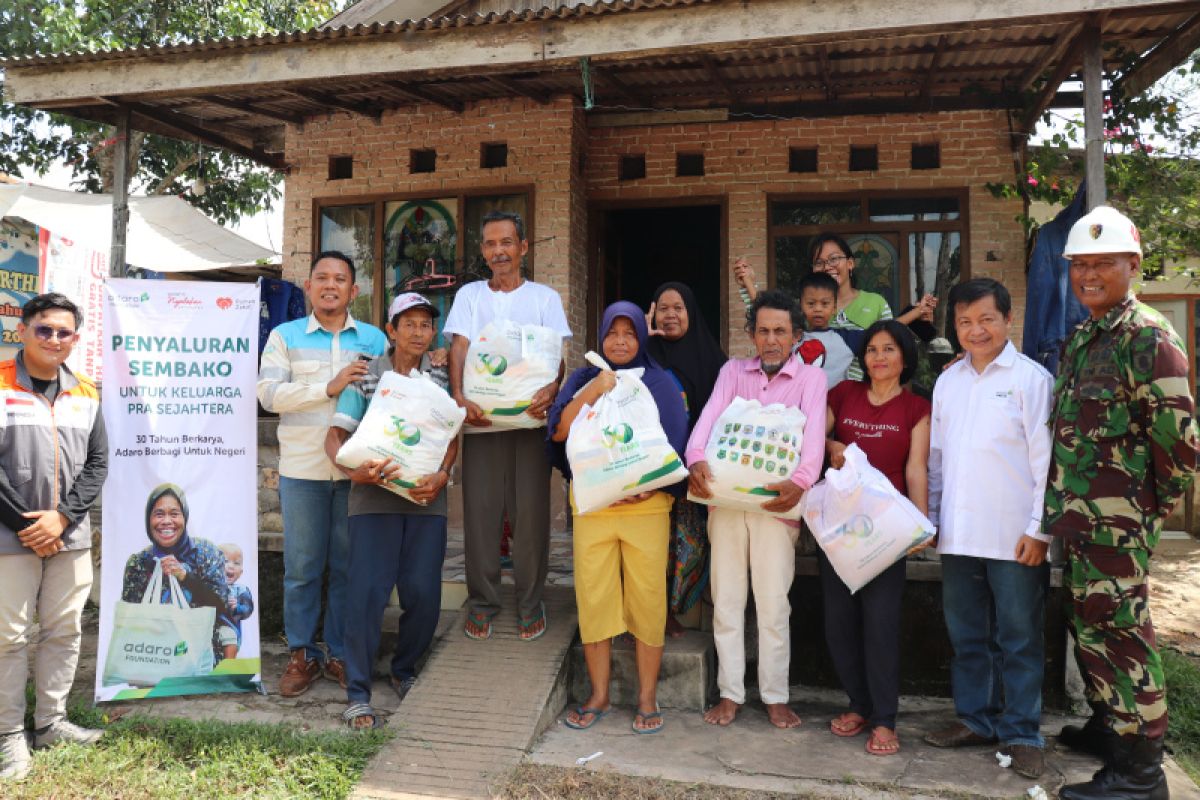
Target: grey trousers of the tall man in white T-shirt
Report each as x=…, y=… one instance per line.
x=506, y=473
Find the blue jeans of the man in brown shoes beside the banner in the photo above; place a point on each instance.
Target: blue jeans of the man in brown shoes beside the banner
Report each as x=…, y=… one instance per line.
x=315, y=538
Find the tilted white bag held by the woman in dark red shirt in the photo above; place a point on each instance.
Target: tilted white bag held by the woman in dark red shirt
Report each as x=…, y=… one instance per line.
x=861, y=522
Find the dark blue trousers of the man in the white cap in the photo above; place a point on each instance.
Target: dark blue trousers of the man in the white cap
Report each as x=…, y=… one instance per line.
x=401, y=551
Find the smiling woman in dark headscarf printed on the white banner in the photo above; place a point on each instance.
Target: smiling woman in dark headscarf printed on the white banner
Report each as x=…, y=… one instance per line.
x=196, y=563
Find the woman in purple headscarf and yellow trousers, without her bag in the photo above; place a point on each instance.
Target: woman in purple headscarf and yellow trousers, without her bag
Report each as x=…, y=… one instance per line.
x=621, y=552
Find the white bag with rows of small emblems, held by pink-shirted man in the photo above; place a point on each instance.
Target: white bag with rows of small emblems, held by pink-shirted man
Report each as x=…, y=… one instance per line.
x=753, y=446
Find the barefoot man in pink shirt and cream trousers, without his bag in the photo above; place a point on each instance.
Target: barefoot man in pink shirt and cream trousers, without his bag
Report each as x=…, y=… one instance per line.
x=752, y=549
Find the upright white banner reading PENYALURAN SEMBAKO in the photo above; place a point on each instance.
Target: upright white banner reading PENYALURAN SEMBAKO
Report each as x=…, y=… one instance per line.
x=179, y=578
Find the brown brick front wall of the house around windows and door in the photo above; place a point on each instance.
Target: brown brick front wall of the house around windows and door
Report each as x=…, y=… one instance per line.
x=745, y=161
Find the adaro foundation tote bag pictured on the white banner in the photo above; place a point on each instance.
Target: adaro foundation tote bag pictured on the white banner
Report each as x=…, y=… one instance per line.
x=154, y=641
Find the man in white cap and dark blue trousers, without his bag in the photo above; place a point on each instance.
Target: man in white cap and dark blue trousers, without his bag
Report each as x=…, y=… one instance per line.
x=394, y=542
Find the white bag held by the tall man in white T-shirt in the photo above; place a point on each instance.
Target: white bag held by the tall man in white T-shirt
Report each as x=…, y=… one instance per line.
x=506, y=368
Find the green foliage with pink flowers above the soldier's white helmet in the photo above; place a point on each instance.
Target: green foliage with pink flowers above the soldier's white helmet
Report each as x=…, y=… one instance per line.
x=1153, y=165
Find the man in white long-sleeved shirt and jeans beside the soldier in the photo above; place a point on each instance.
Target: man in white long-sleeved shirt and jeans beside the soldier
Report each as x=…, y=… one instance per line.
x=988, y=464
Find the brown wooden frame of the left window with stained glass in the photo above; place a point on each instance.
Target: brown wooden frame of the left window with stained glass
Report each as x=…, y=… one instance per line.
x=381, y=200
